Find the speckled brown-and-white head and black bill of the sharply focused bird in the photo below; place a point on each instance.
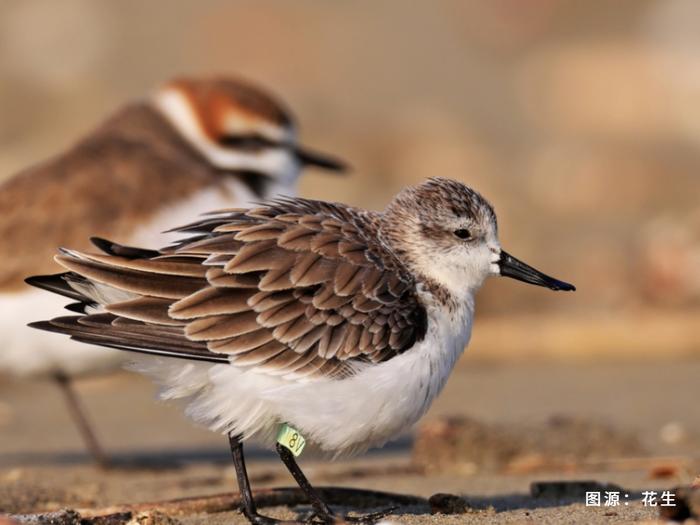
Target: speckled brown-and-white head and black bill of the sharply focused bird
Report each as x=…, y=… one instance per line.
x=448, y=233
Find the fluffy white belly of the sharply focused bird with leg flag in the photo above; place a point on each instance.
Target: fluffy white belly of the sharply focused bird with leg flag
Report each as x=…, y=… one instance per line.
x=339, y=417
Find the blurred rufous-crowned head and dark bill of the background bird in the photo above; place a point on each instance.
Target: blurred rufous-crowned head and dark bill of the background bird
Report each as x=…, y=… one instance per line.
x=238, y=127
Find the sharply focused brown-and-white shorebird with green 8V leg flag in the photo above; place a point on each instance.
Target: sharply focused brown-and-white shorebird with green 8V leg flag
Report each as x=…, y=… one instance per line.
x=339, y=324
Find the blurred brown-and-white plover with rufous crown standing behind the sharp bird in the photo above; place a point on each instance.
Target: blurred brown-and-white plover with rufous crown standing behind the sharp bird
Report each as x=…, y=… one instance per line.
x=195, y=145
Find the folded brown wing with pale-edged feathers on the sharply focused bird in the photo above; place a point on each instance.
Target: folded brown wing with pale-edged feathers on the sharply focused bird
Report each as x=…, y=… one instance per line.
x=287, y=296
